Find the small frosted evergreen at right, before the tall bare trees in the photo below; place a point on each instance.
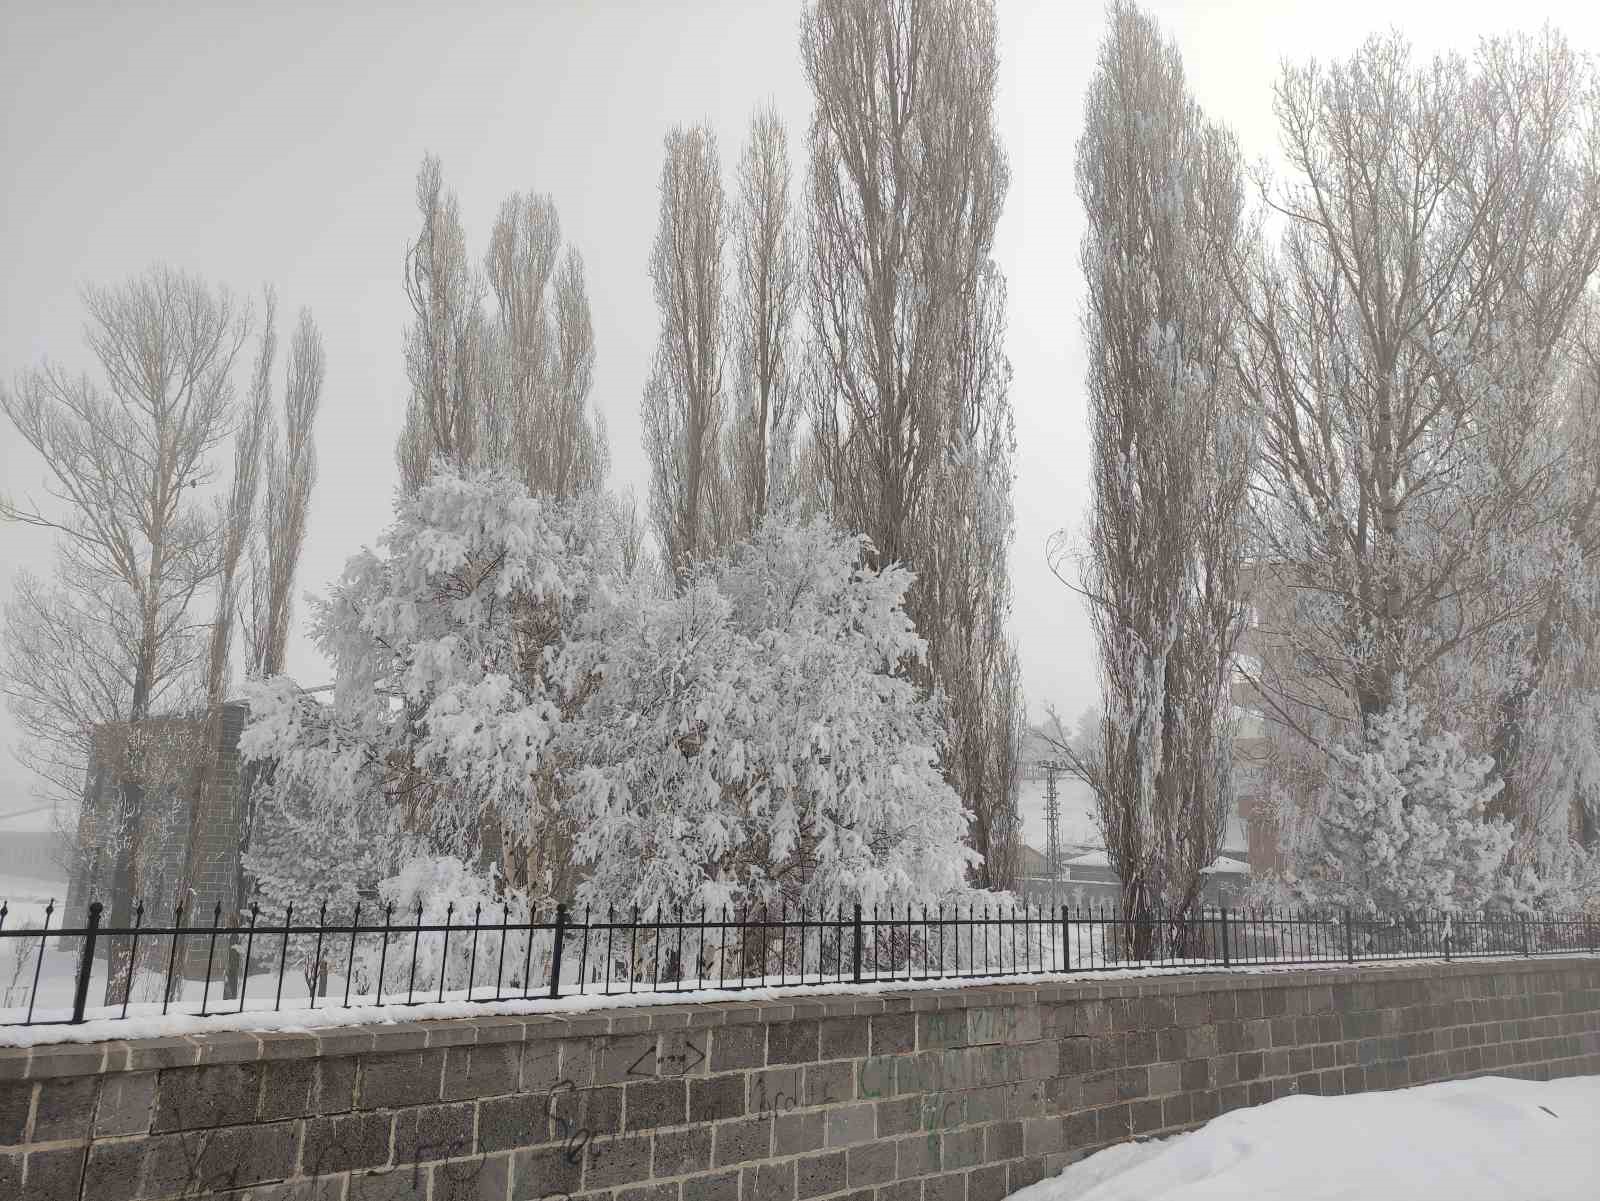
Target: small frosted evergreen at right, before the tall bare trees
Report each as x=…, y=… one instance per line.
x=1406, y=826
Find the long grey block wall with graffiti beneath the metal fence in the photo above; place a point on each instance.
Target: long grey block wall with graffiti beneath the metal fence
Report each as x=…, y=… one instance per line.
x=926, y=1096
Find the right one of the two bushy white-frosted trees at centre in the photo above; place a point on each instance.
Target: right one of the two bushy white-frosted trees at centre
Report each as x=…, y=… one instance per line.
x=754, y=740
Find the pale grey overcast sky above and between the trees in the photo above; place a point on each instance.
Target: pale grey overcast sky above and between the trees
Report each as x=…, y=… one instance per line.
x=279, y=145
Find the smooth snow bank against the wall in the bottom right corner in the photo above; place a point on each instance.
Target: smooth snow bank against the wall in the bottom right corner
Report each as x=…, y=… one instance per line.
x=1487, y=1139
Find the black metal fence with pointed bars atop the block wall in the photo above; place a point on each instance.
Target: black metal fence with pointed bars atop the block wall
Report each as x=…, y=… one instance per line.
x=372, y=959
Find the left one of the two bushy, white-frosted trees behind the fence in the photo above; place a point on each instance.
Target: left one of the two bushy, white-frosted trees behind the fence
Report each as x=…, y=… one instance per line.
x=444, y=704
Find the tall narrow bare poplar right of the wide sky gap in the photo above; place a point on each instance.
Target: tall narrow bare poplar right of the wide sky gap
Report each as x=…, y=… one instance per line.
x=1170, y=457
